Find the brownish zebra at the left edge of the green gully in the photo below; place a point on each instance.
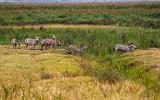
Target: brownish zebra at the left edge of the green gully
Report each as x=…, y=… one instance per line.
x=75, y=49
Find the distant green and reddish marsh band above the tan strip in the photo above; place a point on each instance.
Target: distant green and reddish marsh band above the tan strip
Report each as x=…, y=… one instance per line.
x=120, y=14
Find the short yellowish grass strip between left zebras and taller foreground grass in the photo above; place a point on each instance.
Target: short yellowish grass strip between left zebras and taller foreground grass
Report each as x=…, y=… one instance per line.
x=44, y=61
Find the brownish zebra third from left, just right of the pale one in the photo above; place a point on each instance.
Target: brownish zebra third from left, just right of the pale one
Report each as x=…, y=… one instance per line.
x=50, y=42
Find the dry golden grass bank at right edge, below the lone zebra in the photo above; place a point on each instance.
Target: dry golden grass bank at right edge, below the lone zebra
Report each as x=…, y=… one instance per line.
x=150, y=59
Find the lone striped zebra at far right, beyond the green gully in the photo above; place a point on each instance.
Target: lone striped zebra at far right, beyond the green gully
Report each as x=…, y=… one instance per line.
x=125, y=48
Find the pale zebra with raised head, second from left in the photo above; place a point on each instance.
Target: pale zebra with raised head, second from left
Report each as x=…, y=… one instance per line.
x=31, y=42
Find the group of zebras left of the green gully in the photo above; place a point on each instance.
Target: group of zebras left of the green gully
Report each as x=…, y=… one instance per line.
x=47, y=43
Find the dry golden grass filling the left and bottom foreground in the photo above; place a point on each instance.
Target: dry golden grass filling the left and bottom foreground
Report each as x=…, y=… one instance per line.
x=20, y=78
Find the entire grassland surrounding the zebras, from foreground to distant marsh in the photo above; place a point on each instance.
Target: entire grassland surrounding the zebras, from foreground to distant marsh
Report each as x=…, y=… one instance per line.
x=97, y=73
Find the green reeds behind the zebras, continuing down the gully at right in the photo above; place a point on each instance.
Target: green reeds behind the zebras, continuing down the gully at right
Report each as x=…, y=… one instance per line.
x=100, y=44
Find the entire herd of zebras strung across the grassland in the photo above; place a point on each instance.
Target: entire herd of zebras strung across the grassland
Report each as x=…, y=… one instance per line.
x=72, y=49
